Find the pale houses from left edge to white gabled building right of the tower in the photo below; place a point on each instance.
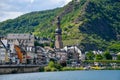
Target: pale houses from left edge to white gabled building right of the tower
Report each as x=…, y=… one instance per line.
x=34, y=54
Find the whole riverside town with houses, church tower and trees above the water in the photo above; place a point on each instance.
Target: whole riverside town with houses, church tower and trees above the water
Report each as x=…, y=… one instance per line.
x=27, y=49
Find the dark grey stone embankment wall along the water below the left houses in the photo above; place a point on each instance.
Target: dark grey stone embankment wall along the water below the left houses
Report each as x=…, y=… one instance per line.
x=8, y=69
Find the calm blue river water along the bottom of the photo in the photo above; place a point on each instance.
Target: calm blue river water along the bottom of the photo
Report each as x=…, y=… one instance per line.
x=66, y=75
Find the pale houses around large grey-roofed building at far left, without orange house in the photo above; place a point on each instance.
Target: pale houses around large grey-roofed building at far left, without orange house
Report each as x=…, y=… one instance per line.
x=24, y=41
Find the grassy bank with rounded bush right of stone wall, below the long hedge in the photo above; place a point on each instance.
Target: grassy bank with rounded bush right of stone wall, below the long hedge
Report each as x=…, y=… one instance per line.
x=53, y=66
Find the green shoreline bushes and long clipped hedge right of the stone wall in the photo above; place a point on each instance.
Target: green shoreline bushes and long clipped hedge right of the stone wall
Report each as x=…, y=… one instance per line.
x=103, y=65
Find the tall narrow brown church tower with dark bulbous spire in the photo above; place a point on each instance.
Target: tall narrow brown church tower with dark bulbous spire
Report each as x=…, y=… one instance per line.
x=58, y=35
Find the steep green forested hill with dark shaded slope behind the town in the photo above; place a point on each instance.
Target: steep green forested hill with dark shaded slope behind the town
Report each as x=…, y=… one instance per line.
x=92, y=24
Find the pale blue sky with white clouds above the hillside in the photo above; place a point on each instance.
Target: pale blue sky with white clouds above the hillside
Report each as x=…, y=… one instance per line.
x=10, y=9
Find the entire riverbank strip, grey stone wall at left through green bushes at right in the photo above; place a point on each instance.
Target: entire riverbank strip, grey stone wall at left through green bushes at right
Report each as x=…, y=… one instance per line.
x=55, y=66
